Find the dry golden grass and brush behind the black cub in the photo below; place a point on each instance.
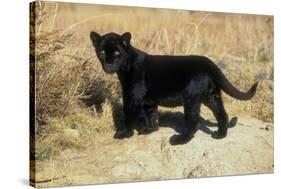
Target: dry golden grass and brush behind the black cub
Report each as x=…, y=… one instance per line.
x=67, y=69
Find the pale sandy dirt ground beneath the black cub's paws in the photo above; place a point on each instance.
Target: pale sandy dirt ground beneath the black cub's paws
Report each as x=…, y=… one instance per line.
x=248, y=149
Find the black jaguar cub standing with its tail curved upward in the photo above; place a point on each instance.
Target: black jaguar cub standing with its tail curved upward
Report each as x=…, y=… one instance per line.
x=151, y=80
